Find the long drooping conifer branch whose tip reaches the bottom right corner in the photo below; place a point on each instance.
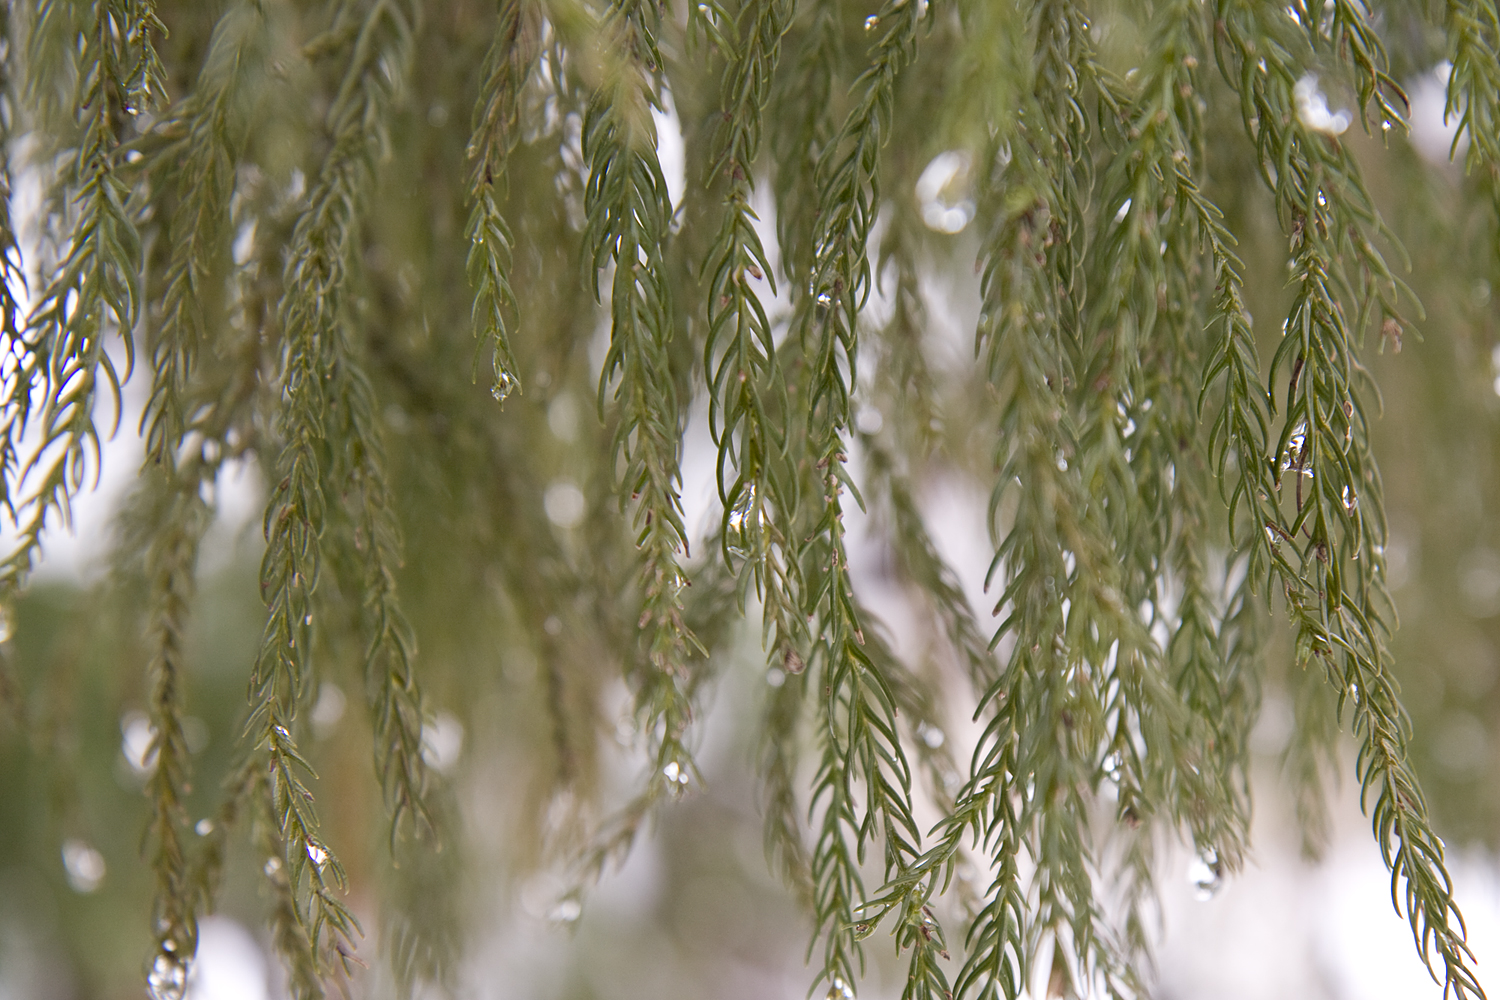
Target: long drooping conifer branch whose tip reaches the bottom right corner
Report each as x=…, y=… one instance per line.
x=1328, y=551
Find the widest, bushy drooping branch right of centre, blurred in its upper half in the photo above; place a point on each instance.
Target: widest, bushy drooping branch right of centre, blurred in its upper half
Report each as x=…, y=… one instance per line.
x=1061, y=584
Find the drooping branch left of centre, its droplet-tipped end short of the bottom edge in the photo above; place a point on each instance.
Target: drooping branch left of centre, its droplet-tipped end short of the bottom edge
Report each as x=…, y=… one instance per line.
x=628, y=215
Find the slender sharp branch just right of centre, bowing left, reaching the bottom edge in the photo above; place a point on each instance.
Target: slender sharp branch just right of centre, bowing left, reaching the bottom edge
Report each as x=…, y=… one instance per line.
x=862, y=747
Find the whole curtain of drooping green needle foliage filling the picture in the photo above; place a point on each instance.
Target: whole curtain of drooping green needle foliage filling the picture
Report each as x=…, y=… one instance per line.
x=301, y=226
